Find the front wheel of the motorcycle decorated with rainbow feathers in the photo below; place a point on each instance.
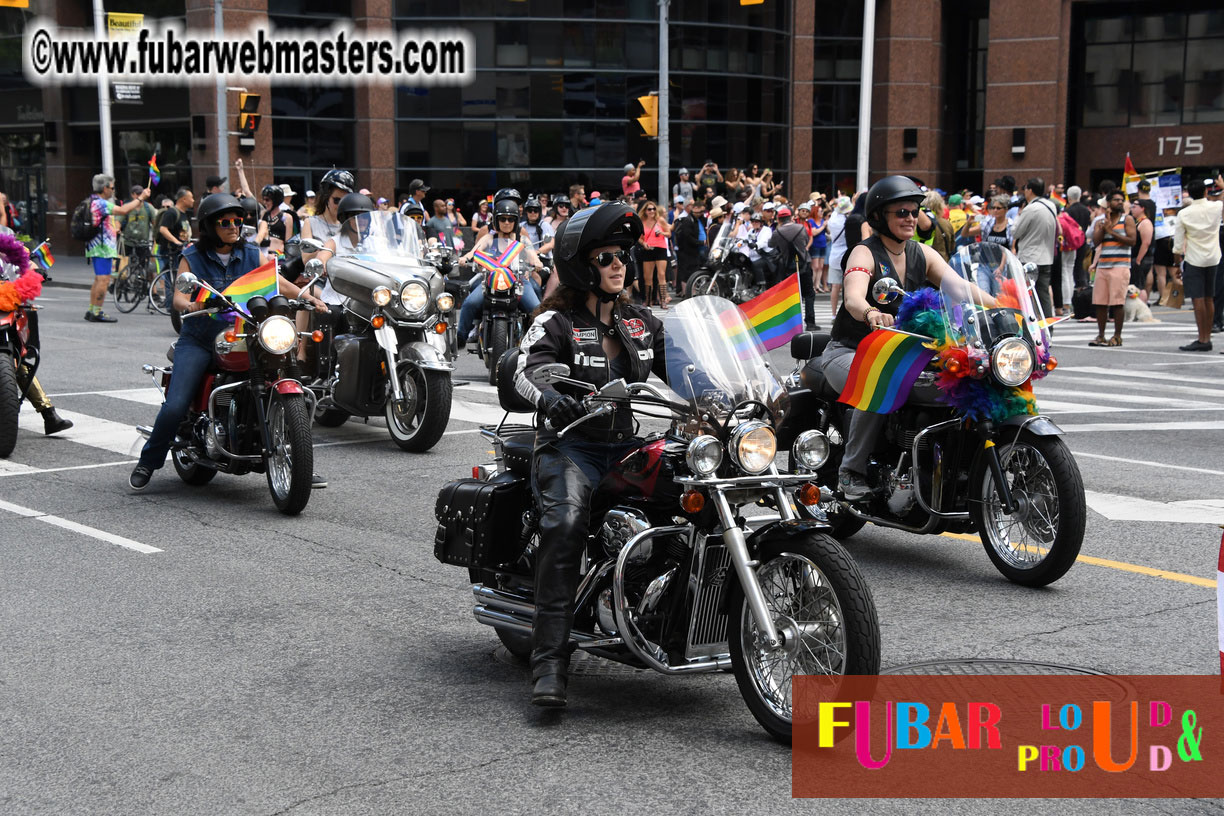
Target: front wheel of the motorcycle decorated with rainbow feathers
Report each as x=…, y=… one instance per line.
x=1040, y=469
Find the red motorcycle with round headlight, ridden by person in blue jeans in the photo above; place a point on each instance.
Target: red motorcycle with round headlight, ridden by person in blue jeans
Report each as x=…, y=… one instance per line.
x=249, y=415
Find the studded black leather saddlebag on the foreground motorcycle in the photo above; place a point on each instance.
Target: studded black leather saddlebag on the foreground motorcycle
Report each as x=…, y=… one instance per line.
x=480, y=523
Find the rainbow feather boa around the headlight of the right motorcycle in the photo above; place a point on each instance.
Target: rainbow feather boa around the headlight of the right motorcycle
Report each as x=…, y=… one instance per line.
x=922, y=313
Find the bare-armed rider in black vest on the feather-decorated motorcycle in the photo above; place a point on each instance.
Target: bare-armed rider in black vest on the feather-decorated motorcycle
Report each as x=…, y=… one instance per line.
x=892, y=210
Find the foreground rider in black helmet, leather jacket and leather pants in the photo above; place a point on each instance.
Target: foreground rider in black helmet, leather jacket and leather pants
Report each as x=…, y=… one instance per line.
x=589, y=325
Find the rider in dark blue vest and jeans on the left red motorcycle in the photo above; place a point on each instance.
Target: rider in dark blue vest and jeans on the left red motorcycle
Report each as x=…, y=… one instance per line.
x=218, y=259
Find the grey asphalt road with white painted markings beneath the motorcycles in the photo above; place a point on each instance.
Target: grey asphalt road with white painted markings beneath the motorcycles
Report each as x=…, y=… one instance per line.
x=330, y=665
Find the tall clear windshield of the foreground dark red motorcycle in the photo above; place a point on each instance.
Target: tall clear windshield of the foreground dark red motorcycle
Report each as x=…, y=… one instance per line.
x=715, y=359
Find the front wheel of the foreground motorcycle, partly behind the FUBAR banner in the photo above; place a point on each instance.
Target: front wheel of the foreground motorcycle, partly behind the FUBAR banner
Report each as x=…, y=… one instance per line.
x=834, y=584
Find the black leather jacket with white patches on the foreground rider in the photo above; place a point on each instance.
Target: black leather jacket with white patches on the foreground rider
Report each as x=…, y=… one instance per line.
x=576, y=339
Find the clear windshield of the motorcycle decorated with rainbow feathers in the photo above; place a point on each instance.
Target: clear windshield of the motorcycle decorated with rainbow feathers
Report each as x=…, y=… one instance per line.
x=991, y=299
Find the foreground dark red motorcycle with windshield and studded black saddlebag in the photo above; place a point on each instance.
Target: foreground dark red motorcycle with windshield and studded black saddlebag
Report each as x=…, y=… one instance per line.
x=677, y=577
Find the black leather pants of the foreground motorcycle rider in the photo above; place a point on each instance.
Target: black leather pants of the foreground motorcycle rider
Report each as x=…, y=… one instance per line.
x=565, y=497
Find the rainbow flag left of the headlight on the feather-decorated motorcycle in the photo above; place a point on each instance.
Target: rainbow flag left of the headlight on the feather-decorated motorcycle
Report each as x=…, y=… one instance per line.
x=886, y=368
